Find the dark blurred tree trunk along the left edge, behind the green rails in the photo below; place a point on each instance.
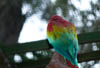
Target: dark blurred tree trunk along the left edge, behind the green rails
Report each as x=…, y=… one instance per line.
x=11, y=21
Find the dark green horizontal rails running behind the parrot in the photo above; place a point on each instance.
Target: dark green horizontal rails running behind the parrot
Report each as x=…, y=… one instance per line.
x=43, y=45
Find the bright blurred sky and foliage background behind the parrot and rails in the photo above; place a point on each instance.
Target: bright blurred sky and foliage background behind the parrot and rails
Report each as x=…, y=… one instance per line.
x=84, y=14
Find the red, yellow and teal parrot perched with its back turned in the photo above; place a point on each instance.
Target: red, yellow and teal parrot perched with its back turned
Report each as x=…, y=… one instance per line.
x=62, y=36
